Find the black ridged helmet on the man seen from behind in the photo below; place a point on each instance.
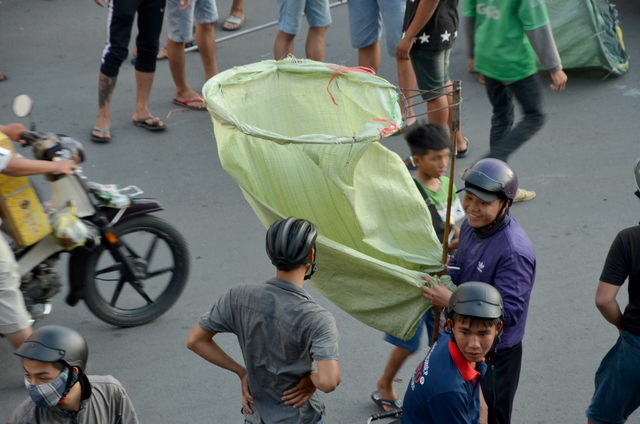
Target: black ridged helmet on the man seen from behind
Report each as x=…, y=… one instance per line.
x=289, y=242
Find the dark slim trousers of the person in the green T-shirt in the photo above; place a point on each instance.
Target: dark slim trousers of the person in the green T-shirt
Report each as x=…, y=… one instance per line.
x=504, y=139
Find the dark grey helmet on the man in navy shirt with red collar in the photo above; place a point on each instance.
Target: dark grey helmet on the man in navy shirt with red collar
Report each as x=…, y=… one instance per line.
x=476, y=299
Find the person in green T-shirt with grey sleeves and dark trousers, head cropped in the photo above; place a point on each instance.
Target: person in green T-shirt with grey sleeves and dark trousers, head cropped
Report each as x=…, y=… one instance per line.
x=502, y=36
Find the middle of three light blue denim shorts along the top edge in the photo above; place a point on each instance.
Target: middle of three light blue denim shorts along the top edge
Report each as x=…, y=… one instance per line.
x=290, y=14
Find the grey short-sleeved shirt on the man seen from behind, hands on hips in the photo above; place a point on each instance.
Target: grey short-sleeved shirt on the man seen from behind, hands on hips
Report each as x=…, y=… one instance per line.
x=281, y=331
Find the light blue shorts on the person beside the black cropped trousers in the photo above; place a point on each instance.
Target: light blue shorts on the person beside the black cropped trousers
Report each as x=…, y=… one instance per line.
x=180, y=22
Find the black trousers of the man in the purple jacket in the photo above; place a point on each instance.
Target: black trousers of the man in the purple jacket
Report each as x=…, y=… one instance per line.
x=500, y=383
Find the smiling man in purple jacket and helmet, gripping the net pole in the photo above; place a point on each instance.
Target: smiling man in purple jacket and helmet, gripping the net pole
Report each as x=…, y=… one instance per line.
x=494, y=249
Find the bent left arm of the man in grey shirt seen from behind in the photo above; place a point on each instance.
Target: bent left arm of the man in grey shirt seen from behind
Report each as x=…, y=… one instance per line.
x=201, y=342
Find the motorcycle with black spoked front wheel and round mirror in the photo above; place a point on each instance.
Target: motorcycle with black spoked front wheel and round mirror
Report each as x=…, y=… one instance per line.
x=128, y=266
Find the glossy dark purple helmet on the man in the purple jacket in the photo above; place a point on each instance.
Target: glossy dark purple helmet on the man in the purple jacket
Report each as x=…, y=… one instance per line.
x=490, y=180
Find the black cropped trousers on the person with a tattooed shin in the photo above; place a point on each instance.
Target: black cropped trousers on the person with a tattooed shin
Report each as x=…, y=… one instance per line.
x=121, y=16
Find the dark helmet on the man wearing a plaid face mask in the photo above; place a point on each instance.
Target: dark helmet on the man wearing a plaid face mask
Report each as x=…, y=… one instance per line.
x=55, y=343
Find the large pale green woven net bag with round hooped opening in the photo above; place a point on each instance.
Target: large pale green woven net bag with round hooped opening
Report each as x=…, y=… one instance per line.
x=294, y=152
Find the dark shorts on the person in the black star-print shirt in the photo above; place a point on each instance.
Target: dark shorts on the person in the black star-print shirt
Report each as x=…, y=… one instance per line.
x=432, y=70
